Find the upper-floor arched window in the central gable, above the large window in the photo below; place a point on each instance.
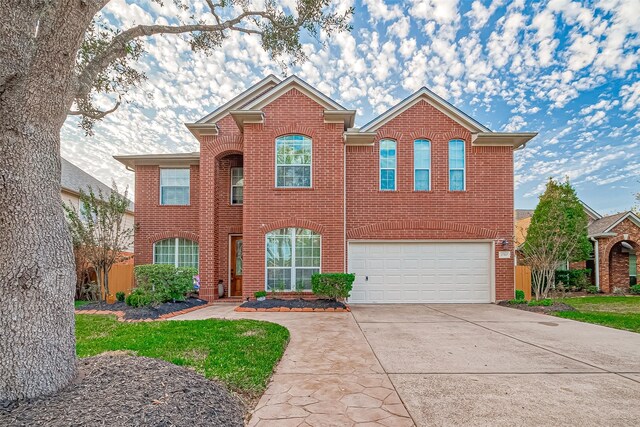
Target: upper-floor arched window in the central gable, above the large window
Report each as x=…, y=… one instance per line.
x=293, y=161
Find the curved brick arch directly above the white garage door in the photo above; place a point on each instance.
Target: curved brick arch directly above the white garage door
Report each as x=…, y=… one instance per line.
x=471, y=230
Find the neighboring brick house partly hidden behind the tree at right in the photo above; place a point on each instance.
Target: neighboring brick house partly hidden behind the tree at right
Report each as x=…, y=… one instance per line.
x=616, y=242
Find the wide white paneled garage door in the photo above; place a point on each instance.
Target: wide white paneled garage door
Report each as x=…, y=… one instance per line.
x=420, y=272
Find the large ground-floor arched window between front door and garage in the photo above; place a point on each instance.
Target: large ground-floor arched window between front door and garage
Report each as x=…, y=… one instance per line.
x=293, y=255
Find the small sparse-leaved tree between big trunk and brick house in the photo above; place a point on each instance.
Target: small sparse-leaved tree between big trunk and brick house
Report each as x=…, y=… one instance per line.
x=98, y=230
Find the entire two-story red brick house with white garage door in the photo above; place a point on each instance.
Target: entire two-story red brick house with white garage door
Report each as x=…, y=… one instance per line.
x=418, y=203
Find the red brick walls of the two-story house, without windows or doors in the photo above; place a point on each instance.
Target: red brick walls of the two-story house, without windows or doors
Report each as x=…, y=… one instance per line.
x=483, y=212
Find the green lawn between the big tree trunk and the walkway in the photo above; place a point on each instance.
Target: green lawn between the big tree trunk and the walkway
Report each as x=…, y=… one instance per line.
x=240, y=353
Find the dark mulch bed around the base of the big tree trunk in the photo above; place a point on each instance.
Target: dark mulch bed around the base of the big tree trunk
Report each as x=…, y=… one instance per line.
x=115, y=389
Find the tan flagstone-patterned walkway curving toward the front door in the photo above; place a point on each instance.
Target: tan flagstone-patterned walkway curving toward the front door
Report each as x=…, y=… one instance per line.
x=328, y=376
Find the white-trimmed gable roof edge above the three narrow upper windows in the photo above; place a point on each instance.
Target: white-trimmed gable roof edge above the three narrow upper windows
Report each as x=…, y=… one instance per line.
x=424, y=94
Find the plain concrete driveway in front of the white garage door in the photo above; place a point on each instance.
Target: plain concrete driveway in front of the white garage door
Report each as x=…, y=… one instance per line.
x=490, y=365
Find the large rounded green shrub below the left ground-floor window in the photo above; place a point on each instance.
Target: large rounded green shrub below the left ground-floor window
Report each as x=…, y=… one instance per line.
x=163, y=282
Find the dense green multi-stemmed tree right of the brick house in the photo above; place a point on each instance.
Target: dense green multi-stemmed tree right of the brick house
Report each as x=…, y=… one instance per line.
x=558, y=233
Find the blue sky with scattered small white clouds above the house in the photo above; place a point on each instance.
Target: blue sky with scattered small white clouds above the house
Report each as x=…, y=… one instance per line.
x=569, y=70
